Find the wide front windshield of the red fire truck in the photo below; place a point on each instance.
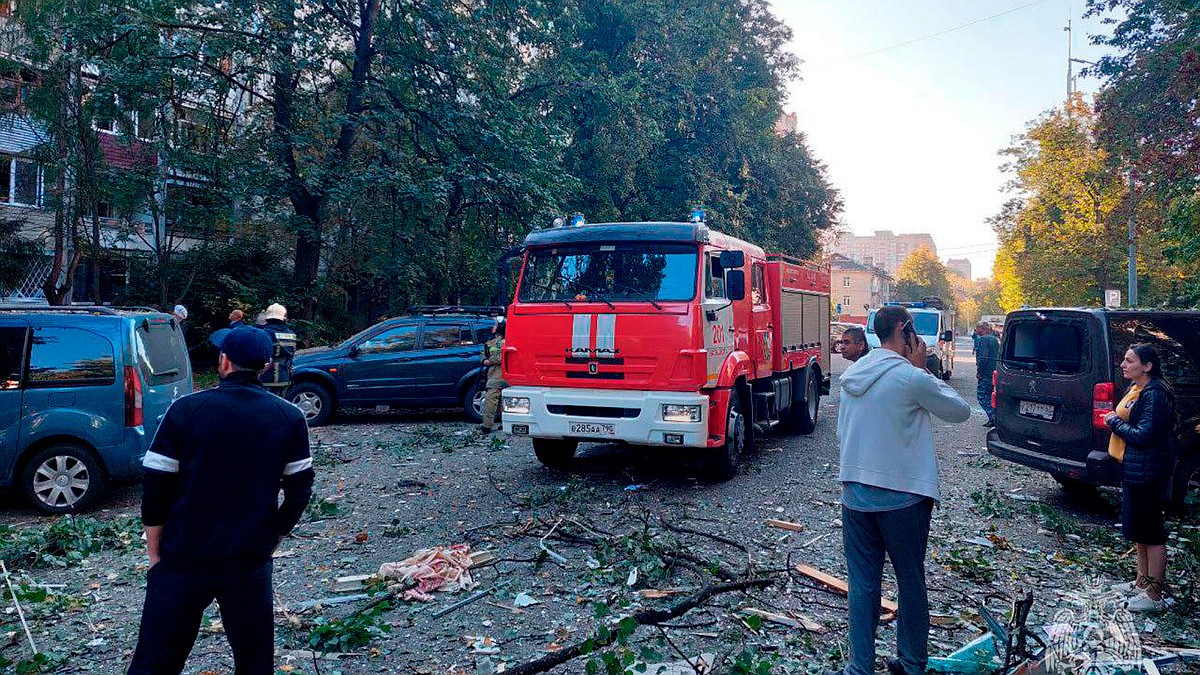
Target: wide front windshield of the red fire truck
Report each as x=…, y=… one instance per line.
x=619, y=272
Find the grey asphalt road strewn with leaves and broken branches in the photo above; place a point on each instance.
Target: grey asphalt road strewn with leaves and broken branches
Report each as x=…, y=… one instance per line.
x=392, y=483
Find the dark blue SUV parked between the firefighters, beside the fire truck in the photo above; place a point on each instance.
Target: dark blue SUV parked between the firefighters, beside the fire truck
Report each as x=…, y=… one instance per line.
x=428, y=360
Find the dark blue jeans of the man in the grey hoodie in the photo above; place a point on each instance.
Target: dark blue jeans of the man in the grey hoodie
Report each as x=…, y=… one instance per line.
x=904, y=536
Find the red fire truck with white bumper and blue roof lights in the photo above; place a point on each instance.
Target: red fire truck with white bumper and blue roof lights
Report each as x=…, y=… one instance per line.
x=663, y=334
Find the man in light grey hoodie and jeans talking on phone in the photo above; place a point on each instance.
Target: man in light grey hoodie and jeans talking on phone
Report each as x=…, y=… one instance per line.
x=890, y=485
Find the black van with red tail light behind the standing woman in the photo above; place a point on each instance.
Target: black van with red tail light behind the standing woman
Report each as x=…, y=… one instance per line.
x=1059, y=375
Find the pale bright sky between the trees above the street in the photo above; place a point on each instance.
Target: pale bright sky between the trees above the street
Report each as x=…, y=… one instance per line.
x=911, y=134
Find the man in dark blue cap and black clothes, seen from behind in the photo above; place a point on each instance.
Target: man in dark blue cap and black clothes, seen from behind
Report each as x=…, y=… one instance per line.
x=212, y=512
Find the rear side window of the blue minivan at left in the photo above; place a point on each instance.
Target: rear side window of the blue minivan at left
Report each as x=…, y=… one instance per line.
x=70, y=356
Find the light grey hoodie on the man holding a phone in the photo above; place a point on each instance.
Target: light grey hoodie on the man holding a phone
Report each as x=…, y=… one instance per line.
x=885, y=427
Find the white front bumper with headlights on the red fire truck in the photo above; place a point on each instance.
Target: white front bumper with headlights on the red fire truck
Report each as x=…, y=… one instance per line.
x=644, y=419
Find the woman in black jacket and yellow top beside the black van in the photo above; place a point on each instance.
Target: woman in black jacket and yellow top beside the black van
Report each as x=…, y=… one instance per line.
x=1147, y=433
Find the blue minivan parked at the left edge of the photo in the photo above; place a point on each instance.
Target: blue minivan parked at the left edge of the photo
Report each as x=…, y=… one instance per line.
x=82, y=392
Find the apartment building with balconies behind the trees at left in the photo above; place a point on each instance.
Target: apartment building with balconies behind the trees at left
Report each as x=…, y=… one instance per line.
x=130, y=139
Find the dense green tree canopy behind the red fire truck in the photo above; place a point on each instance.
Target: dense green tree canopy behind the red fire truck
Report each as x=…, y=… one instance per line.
x=392, y=153
